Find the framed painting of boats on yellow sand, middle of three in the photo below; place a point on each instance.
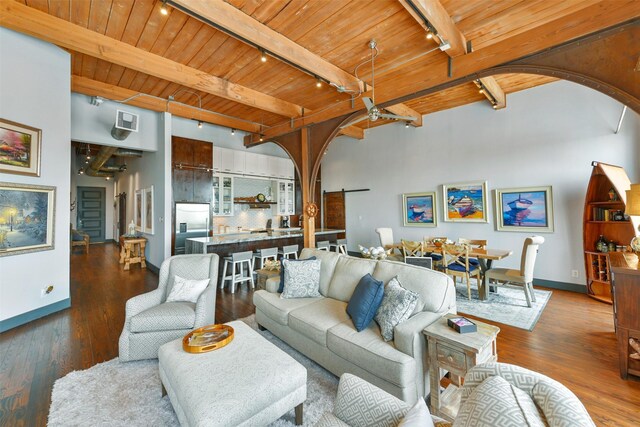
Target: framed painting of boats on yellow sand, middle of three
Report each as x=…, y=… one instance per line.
x=465, y=202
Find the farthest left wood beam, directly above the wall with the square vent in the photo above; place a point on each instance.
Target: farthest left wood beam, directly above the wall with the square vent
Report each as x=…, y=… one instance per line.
x=91, y=87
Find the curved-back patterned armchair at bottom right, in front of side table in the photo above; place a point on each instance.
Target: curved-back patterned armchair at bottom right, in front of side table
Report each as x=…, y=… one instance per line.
x=508, y=395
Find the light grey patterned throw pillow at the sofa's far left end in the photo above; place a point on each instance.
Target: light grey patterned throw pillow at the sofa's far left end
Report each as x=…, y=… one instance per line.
x=301, y=279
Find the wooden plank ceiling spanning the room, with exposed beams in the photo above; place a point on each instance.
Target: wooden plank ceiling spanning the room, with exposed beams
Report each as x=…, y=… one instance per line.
x=336, y=31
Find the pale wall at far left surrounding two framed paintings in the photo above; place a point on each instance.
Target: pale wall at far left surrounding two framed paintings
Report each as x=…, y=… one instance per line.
x=35, y=88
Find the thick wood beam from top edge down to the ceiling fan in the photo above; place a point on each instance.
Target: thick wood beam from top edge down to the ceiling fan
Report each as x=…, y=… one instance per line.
x=226, y=17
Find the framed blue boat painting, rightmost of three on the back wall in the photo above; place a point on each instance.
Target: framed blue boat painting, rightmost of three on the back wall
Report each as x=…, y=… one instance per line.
x=525, y=209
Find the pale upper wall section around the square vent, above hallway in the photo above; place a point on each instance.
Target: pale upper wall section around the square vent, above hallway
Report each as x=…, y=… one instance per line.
x=92, y=124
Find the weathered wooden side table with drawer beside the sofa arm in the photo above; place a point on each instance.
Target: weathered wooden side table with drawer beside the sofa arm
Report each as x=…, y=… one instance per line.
x=456, y=353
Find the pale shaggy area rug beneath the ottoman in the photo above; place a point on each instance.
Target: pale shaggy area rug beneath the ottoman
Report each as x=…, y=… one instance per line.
x=129, y=394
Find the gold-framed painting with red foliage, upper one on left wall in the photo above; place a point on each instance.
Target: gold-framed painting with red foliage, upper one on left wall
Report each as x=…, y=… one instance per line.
x=19, y=148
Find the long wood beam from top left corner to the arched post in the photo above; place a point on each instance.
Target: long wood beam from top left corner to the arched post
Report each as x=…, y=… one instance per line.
x=27, y=20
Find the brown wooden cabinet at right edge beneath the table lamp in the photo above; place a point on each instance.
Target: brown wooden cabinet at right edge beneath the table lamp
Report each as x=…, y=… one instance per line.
x=626, y=309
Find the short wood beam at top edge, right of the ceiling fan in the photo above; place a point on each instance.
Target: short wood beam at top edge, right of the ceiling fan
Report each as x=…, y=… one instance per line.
x=439, y=18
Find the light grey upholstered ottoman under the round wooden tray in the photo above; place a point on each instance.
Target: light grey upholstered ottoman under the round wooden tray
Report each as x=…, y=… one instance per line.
x=250, y=382
